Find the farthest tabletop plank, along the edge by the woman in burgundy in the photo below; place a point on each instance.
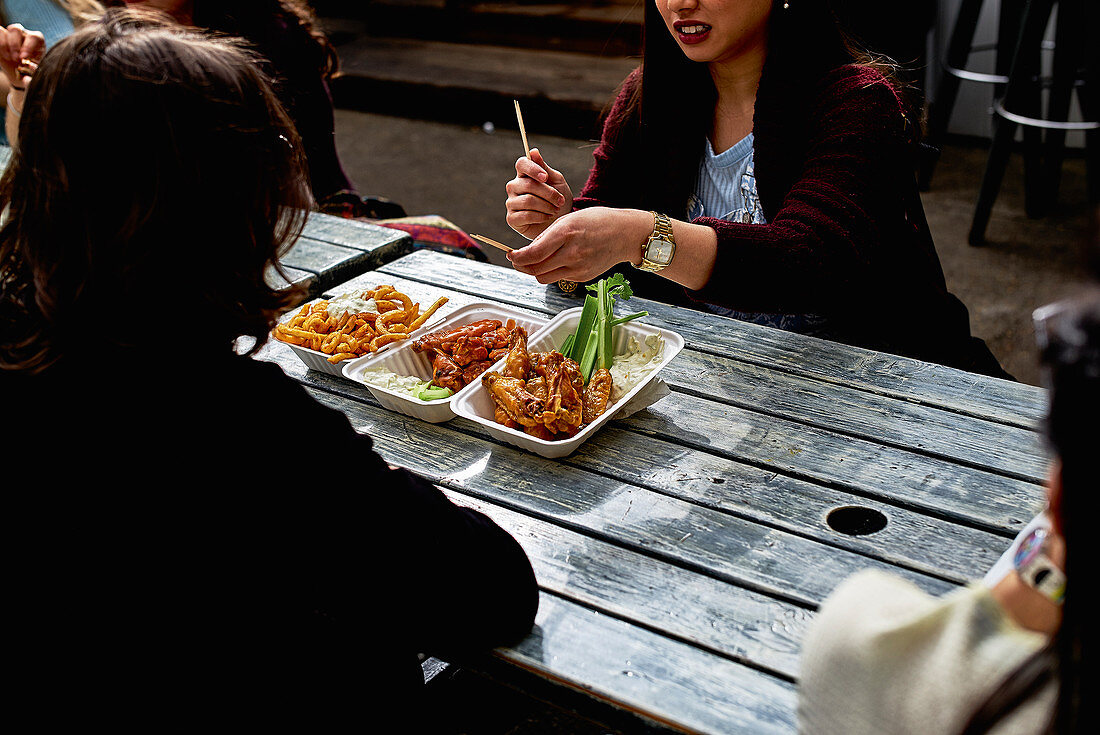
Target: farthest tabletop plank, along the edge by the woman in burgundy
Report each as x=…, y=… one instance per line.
x=892, y=376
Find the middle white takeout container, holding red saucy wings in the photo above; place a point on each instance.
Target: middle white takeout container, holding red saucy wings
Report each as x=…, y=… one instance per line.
x=406, y=361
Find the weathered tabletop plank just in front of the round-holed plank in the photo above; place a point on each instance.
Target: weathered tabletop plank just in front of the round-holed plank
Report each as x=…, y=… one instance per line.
x=751, y=555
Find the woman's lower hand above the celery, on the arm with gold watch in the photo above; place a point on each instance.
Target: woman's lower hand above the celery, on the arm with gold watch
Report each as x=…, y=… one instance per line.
x=584, y=245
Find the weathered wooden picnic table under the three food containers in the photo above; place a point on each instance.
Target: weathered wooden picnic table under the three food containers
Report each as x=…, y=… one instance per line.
x=683, y=552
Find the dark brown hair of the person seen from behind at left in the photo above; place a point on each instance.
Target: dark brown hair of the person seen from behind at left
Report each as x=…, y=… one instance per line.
x=156, y=183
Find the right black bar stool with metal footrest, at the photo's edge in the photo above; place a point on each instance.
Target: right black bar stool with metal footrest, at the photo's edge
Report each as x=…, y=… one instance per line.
x=1074, y=70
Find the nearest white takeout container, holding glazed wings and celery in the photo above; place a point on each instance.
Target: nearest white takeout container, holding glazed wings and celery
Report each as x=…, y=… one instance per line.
x=478, y=405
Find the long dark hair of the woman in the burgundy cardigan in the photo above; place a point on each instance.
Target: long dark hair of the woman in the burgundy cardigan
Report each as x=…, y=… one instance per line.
x=672, y=109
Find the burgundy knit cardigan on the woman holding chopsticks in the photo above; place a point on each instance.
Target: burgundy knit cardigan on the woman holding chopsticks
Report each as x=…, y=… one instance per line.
x=846, y=236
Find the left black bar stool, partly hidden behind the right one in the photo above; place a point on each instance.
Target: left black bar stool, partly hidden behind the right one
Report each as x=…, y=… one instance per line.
x=953, y=71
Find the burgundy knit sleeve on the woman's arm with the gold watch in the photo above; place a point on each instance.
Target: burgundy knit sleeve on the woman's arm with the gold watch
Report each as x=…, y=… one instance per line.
x=831, y=223
